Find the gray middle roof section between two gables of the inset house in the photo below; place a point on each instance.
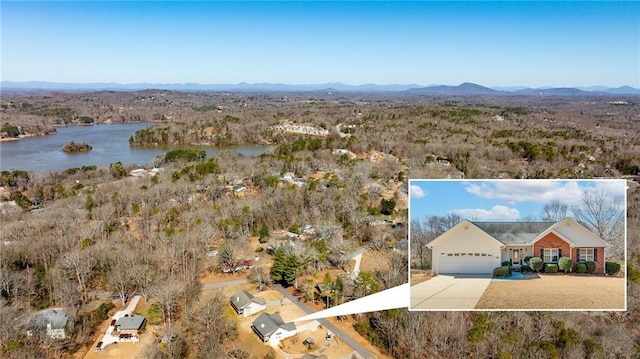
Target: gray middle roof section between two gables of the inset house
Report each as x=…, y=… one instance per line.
x=514, y=232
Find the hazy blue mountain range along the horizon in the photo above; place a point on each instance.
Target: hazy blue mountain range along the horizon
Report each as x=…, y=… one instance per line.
x=466, y=88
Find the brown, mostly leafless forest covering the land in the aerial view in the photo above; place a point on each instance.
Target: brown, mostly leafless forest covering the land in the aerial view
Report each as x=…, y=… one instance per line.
x=87, y=236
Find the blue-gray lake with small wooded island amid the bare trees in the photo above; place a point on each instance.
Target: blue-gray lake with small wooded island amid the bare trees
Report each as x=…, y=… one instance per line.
x=110, y=144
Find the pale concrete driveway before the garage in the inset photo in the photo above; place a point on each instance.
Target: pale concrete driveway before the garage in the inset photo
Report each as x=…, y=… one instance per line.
x=449, y=292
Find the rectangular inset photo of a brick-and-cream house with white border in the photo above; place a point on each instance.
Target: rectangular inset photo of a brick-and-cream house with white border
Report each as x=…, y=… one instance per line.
x=517, y=244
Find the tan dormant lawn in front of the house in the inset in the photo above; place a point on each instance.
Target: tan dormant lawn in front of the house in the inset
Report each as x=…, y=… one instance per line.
x=556, y=291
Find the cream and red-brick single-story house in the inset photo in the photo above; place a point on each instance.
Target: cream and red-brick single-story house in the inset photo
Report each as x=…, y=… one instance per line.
x=478, y=247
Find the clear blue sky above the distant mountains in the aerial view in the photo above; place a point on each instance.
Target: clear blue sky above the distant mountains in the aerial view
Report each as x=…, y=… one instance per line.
x=513, y=43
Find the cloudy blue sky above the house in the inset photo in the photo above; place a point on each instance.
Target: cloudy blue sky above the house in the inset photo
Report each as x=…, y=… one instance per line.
x=500, y=200
